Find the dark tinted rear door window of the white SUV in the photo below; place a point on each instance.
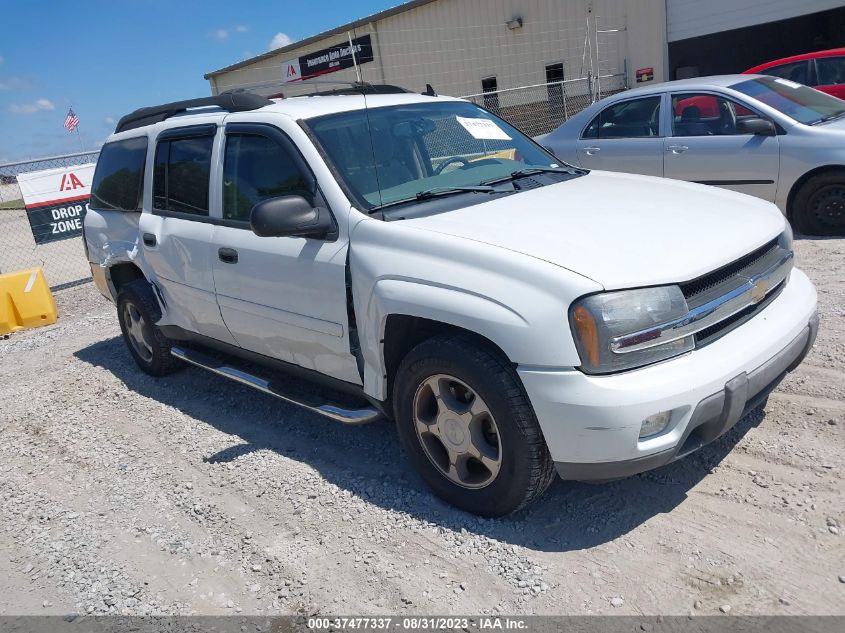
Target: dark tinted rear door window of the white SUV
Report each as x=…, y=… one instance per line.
x=181, y=175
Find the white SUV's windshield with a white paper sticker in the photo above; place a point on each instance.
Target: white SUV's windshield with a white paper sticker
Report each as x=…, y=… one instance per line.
x=419, y=147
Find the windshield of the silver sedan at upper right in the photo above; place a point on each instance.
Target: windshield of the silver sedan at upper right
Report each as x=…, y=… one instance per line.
x=805, y=105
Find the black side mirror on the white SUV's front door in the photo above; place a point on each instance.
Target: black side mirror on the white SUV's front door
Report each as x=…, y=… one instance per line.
x=289, y=216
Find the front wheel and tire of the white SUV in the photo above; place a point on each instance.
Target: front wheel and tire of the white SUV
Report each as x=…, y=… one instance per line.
x=476, y=384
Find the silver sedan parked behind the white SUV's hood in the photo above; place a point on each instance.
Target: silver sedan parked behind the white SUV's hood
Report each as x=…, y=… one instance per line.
x=764, y=136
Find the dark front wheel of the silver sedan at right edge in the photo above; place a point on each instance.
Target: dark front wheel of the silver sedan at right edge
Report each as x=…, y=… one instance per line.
x=819, y=205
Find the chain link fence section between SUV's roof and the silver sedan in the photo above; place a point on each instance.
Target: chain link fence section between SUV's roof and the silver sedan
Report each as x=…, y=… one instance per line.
x=541, y=108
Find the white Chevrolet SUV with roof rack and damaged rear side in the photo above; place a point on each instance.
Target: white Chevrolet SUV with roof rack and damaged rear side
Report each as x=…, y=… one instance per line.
x=416, y=257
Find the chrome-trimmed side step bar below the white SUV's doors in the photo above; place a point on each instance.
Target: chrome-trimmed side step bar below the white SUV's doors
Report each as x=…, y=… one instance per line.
x=339, y=414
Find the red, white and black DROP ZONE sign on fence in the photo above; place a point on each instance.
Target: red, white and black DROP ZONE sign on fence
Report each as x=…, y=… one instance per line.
x=56, y=201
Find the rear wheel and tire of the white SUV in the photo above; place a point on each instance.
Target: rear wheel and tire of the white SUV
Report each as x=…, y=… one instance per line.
x=138, y=311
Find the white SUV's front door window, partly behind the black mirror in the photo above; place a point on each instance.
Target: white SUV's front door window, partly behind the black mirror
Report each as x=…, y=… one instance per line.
x=256, y=168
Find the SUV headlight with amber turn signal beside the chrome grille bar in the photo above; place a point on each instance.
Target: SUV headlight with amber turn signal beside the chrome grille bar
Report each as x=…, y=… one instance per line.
x=599, y=319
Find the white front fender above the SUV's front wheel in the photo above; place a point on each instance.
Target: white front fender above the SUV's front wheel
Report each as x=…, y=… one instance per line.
x=517, y=302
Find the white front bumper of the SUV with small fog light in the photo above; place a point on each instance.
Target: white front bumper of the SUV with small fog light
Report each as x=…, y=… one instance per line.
x=592, y=423
